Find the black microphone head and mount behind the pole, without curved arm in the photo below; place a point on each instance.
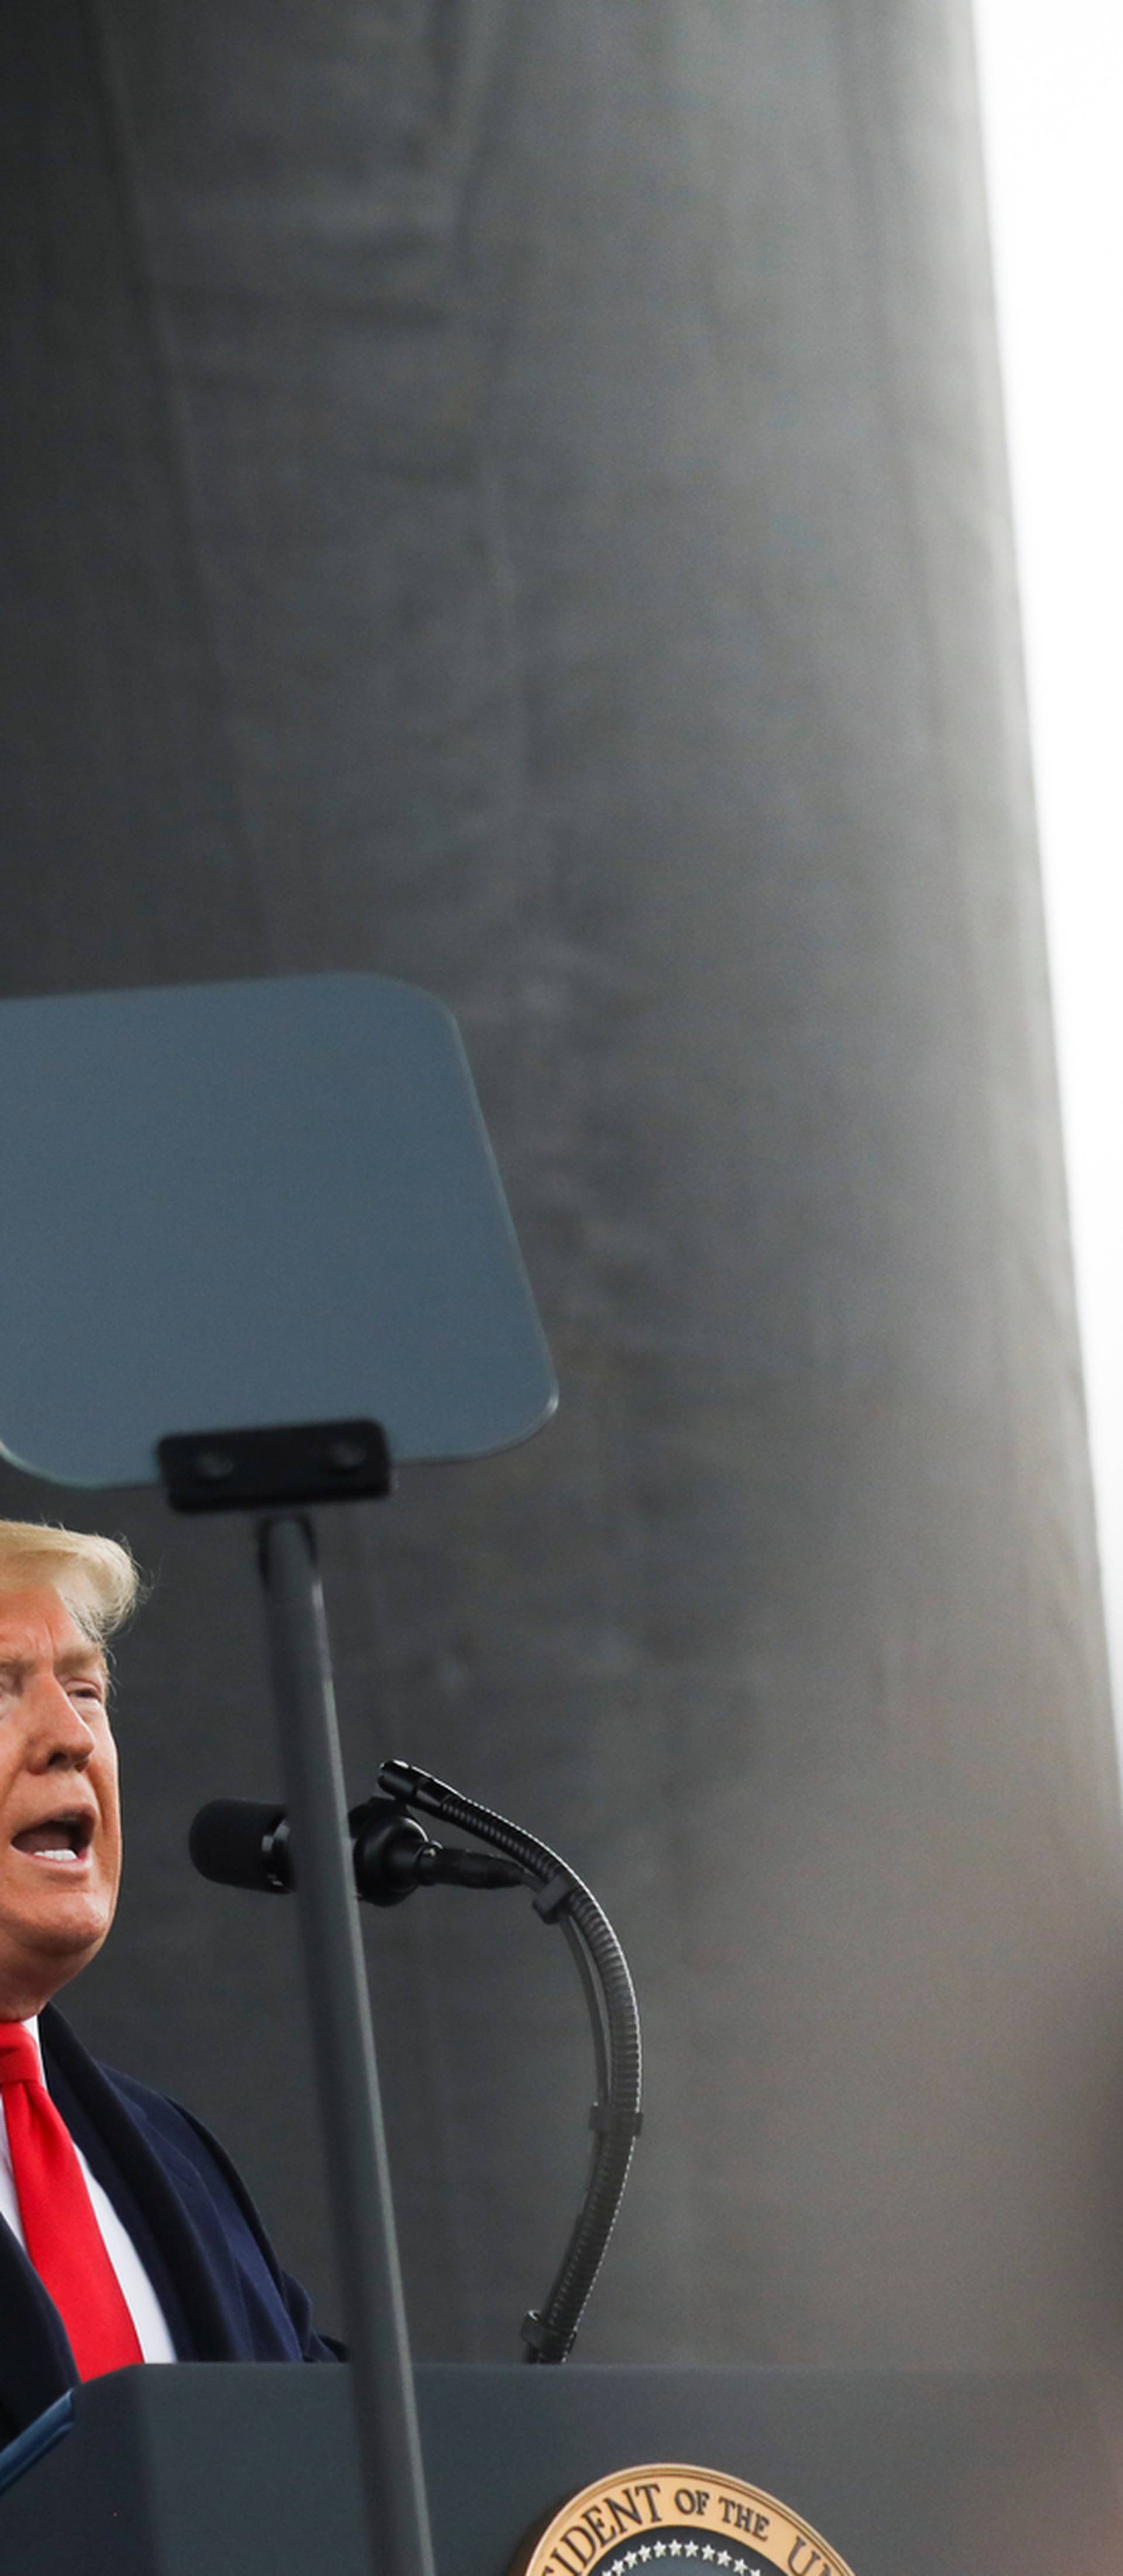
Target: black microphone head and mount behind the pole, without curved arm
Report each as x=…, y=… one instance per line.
x=246, y=1846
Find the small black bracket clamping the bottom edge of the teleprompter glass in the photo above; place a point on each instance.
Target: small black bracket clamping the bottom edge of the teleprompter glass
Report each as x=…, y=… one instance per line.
x=287, y=1464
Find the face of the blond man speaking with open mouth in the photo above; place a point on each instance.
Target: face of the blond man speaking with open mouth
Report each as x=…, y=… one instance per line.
x=61, y=1815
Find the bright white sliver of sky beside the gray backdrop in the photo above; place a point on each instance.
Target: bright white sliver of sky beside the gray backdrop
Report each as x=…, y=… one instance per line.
x=1052, y=94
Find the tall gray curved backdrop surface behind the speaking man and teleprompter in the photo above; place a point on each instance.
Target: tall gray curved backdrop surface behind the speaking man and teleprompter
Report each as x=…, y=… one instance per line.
x=516, y=498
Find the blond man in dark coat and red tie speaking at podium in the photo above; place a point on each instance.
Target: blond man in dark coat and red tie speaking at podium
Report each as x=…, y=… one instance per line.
x=127, y=2235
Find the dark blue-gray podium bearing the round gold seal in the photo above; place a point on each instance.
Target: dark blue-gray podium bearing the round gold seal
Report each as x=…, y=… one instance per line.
x=251, y=2469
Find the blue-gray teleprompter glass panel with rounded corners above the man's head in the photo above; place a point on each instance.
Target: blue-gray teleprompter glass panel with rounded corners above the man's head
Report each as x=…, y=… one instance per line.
x=249, y=1204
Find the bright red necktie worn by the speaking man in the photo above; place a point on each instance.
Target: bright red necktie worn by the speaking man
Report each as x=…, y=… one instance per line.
x=61, y=2230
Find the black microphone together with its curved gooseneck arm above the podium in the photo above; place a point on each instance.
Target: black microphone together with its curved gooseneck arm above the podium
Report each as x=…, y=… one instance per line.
x=246, y=1846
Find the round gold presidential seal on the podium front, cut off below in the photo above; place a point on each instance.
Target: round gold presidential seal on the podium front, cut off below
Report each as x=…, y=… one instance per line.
x=679, y=2523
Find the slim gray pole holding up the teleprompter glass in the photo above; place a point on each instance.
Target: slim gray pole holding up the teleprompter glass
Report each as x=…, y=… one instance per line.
x=390, y=2456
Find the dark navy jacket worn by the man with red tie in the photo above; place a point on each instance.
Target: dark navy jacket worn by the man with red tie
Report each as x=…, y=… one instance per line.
x=189, y=2219
